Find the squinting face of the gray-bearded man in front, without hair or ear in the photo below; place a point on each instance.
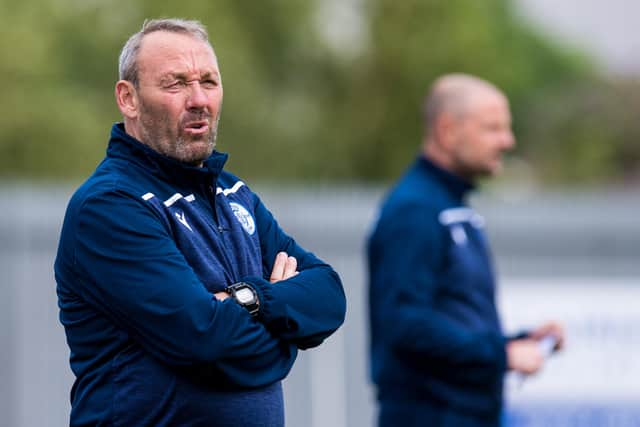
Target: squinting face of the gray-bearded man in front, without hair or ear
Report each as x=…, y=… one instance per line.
x=179, y=95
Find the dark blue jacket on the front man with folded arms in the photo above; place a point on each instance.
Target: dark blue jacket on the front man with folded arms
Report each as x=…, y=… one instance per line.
x=145, y=243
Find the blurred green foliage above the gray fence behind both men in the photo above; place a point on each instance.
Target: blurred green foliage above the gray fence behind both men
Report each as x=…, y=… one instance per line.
x=314, y=90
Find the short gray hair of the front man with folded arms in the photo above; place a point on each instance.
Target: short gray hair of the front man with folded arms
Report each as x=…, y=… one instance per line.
x=128, y=61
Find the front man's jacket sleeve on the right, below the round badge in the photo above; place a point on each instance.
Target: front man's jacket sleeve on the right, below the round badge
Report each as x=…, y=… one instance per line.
x=306, y=308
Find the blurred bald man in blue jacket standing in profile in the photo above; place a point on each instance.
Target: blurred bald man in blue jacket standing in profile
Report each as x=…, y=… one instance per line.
x=438, y=353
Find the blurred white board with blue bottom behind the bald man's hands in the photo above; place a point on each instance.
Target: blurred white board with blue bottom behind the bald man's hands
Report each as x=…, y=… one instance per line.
x=596, y=380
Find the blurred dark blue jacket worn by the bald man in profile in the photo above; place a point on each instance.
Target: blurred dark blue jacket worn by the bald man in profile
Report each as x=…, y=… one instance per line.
x=435, y=333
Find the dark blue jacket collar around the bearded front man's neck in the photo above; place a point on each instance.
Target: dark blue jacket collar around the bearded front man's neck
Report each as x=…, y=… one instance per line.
x=123, y=145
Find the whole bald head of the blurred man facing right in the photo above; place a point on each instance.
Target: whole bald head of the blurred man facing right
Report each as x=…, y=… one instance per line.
x=468, y=125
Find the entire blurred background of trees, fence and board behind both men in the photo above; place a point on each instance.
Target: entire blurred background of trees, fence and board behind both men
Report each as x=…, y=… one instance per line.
x=321, y=113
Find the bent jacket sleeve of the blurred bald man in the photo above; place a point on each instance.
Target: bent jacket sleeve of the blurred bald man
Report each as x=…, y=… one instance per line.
x=405, y=258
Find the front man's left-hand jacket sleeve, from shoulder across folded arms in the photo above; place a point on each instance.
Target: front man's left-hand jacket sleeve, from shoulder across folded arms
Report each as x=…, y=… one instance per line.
x=131, y=270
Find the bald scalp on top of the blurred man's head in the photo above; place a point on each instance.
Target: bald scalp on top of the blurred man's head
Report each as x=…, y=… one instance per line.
x=454, y=95
